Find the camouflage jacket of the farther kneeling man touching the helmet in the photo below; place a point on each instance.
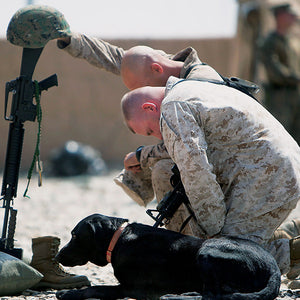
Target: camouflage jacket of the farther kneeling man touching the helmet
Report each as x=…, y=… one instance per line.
x=109, y=57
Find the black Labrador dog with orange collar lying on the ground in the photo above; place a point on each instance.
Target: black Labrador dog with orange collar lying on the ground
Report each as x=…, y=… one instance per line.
x=150, y=262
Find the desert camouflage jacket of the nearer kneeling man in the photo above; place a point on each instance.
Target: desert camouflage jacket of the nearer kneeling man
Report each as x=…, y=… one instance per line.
x=236, y=160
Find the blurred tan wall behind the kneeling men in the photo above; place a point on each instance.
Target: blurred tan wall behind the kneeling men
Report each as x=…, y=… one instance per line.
x=86, y=105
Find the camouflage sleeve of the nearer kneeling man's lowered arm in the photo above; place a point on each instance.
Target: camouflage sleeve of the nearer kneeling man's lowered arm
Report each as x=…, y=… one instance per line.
x=186, y=145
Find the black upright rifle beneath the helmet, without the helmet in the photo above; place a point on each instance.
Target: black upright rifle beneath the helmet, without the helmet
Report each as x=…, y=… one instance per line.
x=22, y=109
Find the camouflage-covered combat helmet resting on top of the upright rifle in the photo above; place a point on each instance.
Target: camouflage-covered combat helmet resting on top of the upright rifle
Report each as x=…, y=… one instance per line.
x=34, y=25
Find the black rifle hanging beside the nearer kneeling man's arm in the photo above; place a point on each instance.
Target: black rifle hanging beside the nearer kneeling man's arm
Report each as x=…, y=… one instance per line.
x=170, y=203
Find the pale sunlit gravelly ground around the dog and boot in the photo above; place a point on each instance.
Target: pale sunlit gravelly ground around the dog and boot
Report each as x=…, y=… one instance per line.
x=57, y=206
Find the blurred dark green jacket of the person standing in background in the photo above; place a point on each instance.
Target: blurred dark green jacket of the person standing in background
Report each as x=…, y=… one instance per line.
x=281, y=62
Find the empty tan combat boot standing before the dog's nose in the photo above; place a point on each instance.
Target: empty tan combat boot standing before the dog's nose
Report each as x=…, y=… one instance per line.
x=44, y=250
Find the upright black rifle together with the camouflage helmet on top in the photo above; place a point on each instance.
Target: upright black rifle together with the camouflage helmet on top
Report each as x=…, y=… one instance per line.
x=31, y=28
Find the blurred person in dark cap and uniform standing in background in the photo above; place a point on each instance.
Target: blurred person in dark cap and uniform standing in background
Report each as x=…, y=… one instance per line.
x=282, y=64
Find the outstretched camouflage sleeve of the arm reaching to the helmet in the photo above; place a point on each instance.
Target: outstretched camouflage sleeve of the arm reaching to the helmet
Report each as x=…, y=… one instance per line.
x=97, y=52
